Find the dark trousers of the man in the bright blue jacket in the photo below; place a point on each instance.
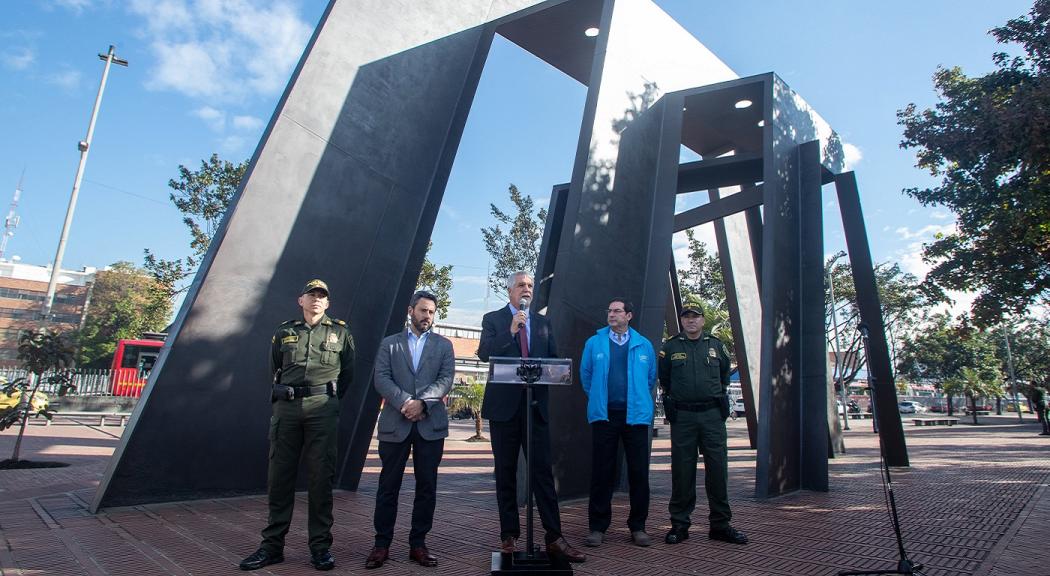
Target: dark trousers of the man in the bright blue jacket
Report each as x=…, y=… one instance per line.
x=606, y=437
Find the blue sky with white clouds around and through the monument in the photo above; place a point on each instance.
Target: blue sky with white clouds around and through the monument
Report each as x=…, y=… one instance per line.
x=205, y=77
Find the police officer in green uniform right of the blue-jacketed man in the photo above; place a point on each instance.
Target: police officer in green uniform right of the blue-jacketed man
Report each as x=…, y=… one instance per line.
x=694, y=371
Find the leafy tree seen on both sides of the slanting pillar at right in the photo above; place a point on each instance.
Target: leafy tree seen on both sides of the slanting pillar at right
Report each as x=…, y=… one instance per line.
x=904, y=306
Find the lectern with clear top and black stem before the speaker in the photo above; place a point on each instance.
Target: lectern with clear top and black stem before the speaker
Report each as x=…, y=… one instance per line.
x=530, y=373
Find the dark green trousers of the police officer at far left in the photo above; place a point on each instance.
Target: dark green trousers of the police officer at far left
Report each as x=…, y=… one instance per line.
x=304, y=428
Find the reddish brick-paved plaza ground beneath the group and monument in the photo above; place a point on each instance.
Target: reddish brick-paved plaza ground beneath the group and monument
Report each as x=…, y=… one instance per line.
x=974, y=503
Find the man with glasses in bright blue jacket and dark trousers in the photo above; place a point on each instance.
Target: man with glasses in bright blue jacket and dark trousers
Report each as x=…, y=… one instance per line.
x=619, y=375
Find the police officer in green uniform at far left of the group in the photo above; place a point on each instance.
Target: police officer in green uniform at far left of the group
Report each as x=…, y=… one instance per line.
x=312, y=360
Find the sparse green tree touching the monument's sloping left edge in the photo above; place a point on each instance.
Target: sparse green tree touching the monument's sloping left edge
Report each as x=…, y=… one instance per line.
x=203, y=198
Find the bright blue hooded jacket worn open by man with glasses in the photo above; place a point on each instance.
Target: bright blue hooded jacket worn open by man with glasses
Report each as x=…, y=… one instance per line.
x=641, y=377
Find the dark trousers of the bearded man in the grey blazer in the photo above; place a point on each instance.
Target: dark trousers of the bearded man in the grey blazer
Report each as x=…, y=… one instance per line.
x=426, y=458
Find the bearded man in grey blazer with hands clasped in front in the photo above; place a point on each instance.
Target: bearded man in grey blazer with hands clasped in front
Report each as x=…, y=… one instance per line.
x=414, y=373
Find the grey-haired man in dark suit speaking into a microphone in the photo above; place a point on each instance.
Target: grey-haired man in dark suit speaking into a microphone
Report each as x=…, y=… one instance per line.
x=516, y=332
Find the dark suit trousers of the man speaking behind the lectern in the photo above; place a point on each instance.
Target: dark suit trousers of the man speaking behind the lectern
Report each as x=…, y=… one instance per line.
x=509, y=438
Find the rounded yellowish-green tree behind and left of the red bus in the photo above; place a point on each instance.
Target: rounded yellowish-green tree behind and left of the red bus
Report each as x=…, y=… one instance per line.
x=127, y=302
